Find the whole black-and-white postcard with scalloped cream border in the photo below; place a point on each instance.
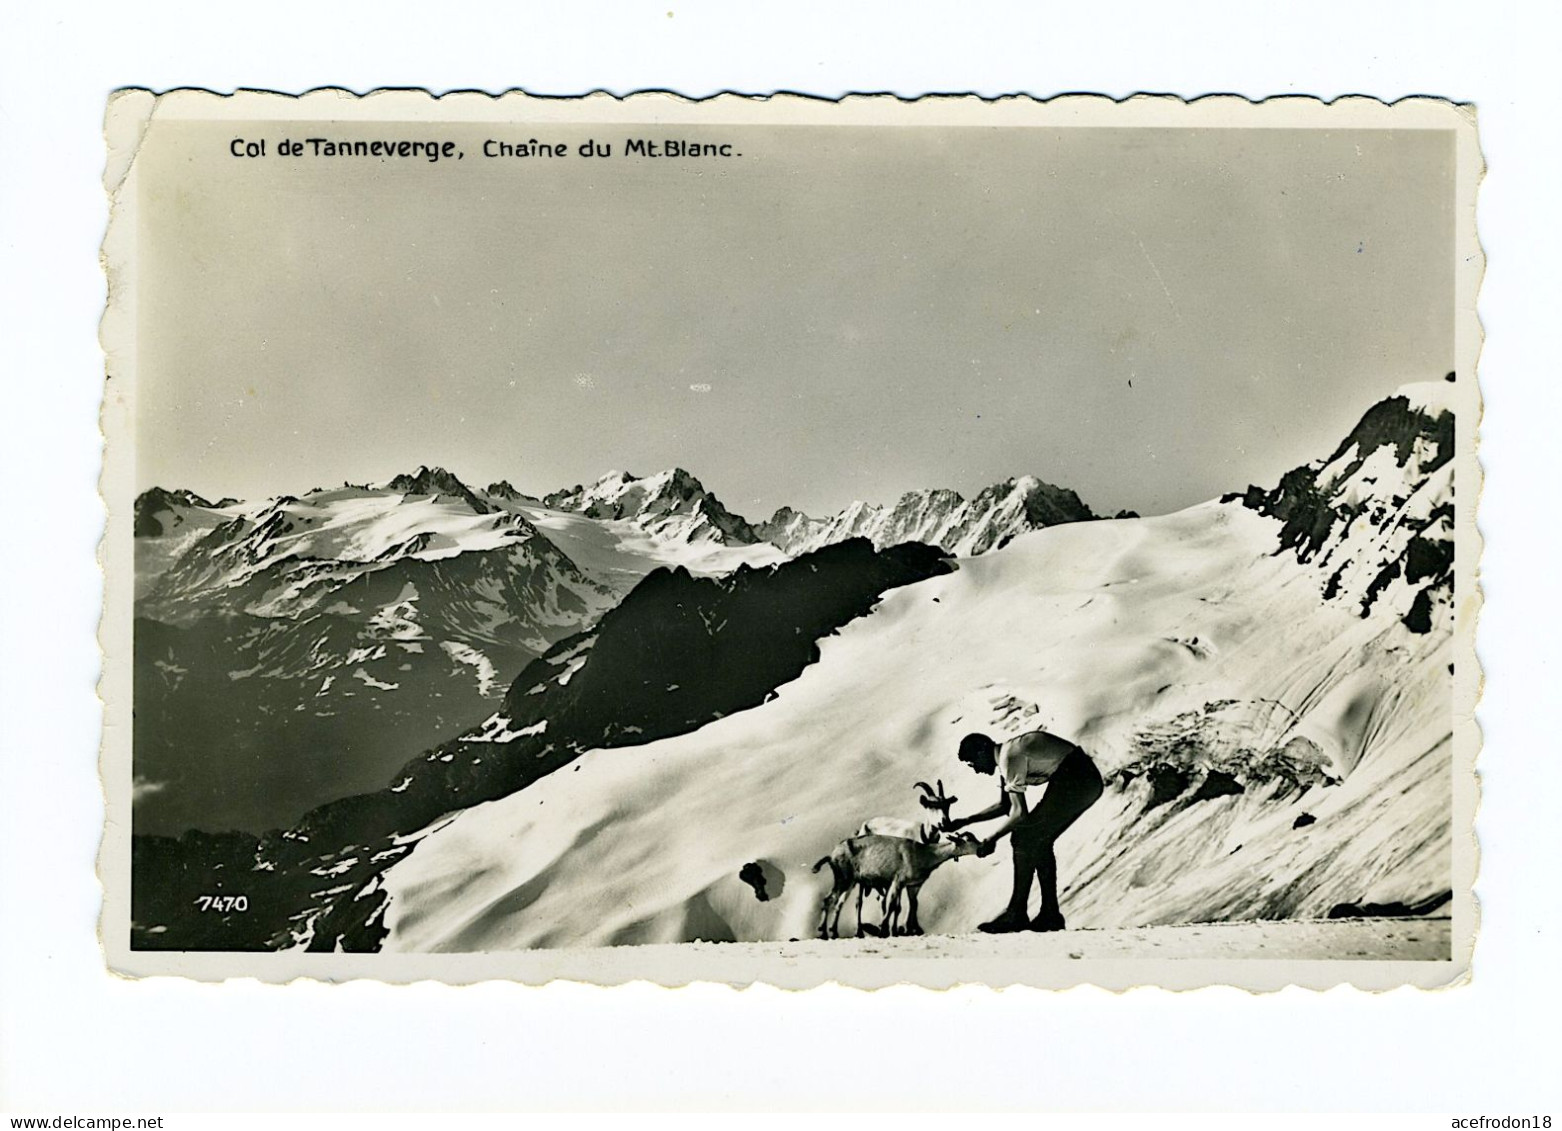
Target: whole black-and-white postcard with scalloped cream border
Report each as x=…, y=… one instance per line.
x=791, y=541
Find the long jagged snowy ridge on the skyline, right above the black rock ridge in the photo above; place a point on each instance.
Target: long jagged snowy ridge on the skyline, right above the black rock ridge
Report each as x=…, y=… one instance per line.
x=938, y=518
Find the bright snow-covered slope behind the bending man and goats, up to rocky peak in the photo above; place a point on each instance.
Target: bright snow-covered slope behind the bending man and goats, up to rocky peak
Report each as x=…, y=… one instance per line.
x=1275, y=746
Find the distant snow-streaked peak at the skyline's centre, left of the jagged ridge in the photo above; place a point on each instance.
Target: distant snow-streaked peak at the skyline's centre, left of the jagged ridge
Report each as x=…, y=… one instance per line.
x=672, y=504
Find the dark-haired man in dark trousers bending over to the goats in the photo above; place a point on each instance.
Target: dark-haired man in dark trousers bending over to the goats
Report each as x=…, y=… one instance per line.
x=1072, y=787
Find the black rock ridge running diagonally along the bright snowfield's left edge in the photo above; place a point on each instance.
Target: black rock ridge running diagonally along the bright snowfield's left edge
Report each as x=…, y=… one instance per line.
x=674, y=655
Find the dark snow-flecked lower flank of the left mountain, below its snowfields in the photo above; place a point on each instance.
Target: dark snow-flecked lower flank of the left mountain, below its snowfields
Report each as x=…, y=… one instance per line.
x=255, y=719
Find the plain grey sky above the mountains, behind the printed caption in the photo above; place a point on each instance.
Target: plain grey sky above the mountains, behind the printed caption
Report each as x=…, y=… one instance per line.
x=1147, y=316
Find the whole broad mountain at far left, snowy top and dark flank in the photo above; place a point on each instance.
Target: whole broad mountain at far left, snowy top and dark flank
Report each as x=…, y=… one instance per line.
x=305, y=648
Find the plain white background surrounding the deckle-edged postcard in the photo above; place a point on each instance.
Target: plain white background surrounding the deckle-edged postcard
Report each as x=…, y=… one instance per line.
x=74, y=1040
